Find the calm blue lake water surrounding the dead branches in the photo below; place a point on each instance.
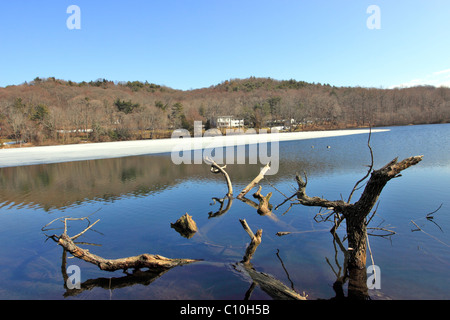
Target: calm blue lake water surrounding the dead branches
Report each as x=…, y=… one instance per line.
x=137, y=198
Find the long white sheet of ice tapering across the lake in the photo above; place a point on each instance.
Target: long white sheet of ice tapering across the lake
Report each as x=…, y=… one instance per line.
x=15, y=157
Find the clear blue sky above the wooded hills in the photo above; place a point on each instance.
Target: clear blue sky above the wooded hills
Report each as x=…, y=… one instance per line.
x=189, y=44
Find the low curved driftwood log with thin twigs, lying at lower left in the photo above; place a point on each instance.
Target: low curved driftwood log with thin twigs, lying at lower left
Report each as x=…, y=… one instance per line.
x=153, y=262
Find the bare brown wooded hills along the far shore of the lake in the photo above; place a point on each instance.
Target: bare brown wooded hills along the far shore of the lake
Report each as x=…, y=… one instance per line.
x=54, y=111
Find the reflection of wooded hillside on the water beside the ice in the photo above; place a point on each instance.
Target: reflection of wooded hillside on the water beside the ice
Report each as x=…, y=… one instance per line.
x=55, y=186
